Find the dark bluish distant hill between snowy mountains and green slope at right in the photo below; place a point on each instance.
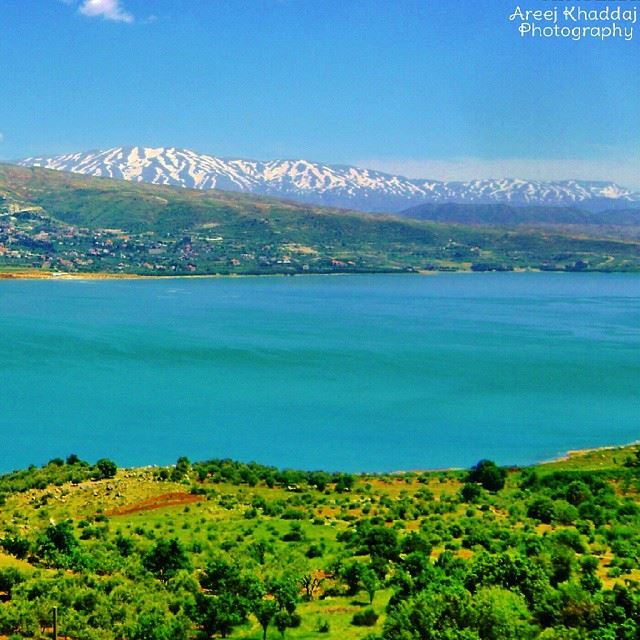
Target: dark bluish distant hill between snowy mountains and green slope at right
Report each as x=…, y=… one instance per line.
x=502, y=214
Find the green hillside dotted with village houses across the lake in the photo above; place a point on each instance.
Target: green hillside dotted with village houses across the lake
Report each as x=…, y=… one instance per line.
x=52, y=221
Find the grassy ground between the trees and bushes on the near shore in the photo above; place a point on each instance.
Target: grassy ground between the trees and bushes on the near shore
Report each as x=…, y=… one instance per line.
x=222, y=520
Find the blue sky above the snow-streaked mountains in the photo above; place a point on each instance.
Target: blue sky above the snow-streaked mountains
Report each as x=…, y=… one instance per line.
x=430, y=88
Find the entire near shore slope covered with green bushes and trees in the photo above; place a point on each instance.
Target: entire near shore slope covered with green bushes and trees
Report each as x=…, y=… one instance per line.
x=221, y=548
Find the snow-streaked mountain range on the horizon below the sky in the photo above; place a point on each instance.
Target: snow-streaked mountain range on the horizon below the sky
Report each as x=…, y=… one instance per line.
x=327, y=184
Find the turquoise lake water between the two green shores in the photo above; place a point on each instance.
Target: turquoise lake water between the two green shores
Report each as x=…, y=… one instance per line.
x=355, y=373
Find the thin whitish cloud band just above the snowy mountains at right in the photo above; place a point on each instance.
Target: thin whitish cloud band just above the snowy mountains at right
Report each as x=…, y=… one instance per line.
x=624, y=171
